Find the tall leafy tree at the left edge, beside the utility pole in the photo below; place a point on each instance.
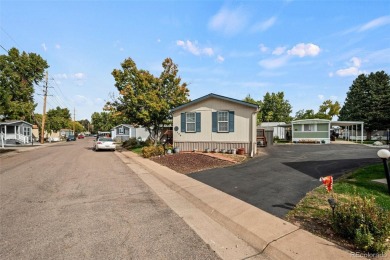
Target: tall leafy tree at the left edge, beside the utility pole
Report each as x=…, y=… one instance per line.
x=18, y=74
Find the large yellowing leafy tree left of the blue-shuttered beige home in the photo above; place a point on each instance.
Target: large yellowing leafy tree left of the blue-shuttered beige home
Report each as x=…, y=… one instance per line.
x=146, y=100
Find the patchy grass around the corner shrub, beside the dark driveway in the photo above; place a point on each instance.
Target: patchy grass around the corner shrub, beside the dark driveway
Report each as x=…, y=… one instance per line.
x=314, y=214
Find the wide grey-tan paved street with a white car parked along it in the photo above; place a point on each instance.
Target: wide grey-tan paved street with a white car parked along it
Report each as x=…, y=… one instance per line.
x=67, y=202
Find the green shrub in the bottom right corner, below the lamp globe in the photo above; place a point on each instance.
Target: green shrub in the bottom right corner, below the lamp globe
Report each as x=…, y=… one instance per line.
x=363, y=222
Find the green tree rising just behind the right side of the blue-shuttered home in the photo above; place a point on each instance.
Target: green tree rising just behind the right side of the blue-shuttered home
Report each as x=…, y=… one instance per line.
x=274, y=108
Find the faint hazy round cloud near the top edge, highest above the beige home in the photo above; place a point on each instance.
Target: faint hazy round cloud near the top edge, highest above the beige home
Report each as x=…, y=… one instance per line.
x=228, y=21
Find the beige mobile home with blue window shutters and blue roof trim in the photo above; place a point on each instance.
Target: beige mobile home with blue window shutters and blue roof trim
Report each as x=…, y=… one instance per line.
x=215, y=122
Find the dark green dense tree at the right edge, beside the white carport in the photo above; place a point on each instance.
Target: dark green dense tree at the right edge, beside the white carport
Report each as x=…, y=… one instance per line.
x=368, y=101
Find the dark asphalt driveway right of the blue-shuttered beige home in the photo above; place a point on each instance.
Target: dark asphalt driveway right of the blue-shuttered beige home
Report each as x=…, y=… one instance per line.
x=277, y=181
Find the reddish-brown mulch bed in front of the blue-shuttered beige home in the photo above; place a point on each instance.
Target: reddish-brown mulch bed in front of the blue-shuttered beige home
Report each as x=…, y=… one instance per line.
x=190, y=162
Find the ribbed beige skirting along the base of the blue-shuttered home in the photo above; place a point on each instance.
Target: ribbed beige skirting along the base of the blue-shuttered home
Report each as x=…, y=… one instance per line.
x=202, y=146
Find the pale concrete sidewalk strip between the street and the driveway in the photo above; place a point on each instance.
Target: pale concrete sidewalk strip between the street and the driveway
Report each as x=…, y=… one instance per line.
x=272, y=236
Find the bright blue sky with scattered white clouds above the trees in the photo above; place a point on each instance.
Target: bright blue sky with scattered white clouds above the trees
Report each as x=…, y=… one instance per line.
x=310, y=50
